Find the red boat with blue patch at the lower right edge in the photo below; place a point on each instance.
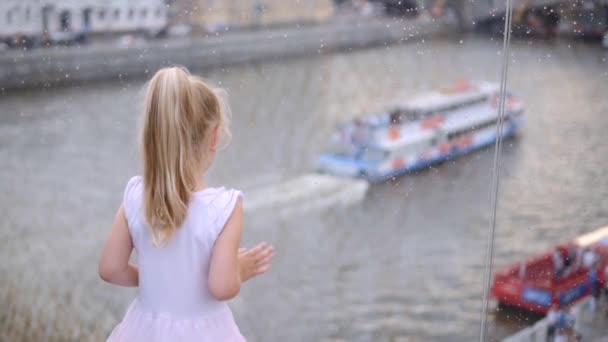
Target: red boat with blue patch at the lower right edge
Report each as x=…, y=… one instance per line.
x=539, y=282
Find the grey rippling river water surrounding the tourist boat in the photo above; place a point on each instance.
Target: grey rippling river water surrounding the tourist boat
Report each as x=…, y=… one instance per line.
x=406, y=264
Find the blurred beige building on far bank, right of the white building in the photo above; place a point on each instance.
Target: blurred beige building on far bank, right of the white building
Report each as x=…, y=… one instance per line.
x=214, y=15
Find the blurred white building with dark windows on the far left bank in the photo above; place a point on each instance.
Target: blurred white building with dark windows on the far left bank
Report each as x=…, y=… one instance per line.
x=37, y=18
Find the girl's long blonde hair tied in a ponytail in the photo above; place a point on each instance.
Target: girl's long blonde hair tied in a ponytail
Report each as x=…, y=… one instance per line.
x=181, y=114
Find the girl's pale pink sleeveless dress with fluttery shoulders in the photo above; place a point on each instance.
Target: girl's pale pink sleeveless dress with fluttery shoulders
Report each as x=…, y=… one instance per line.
x=174, y=303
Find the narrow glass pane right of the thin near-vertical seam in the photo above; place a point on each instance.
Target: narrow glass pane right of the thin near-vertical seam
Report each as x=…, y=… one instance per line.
x=550, y=188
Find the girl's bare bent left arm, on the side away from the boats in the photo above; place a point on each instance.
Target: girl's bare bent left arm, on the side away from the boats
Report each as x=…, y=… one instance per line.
x=114, y=266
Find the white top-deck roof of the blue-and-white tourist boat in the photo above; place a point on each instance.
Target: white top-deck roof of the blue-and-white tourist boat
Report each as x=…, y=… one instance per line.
x=461, y=91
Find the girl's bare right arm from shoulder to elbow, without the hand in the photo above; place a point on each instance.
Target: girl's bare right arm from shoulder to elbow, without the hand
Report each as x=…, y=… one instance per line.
x=224, y=276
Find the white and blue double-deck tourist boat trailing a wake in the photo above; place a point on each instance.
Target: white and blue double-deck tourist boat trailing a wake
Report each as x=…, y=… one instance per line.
x=427, y=129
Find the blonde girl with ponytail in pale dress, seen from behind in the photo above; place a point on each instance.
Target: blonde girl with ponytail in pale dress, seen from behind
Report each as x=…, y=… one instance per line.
x=186, y=234
